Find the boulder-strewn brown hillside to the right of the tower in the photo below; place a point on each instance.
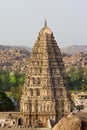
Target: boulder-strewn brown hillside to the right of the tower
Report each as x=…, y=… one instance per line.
x=77, y=60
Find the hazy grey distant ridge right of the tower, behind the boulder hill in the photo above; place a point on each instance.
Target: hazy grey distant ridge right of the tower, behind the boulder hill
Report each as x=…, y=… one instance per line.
x=74, y=49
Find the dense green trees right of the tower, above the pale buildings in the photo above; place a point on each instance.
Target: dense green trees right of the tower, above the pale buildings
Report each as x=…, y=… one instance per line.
x=77, y=80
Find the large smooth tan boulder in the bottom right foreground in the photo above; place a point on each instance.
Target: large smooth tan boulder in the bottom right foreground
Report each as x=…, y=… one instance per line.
x=71, y=122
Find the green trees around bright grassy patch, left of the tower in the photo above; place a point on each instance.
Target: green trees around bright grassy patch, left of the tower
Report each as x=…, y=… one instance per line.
x=8, y=80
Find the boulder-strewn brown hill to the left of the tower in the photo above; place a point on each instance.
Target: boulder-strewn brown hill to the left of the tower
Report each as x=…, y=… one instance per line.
x=13, y=58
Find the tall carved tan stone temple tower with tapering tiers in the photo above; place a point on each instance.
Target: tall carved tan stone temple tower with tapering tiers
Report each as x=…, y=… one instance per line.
x=45, y=94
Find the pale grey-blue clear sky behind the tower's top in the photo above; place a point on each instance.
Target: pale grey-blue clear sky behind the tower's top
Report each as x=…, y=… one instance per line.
x=22, y=20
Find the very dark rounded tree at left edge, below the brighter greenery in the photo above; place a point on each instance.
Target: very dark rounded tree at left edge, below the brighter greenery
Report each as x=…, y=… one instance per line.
x=5, y=103
